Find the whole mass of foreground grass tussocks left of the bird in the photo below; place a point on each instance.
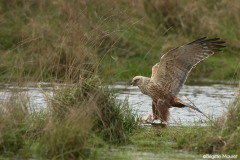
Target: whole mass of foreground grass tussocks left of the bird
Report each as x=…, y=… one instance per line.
x=80, y=118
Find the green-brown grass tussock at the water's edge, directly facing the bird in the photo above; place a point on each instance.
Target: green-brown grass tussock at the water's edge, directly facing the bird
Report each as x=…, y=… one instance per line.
x=112, y=119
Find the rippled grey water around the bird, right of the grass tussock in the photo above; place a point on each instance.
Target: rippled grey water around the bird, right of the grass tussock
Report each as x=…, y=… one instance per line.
x=212, y=100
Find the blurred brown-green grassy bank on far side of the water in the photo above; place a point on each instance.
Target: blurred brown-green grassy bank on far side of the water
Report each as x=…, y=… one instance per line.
x=61, y=40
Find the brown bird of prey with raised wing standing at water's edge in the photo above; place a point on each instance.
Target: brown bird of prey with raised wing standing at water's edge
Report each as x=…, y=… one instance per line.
x=169, y=75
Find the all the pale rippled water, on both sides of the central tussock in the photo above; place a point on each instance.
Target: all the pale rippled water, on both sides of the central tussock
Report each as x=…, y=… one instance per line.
x=212, y=99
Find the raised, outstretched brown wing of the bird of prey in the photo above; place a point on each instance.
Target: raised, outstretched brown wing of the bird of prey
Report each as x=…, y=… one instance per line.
x=172, y=70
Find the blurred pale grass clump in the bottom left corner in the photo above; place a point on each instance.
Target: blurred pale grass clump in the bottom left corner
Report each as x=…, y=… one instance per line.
x=18, y=126
